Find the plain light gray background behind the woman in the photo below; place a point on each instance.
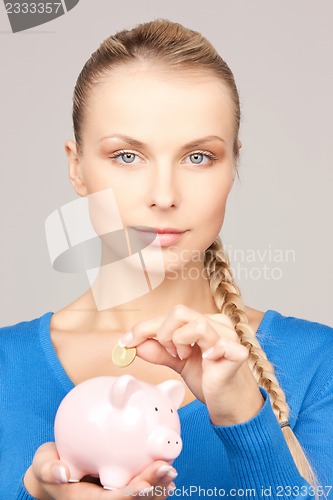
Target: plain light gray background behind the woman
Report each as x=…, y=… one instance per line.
x=281, y=54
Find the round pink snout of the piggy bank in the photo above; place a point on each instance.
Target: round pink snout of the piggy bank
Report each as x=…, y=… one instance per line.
x=164, y=444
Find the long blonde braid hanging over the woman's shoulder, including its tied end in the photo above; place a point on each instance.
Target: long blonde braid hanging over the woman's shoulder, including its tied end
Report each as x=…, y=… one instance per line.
x=228, y=300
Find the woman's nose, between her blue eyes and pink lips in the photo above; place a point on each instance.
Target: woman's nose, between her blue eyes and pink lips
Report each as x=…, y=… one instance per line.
x=163, y=190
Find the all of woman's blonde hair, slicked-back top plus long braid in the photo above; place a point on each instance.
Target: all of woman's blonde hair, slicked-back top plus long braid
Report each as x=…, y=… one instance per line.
x=171, y=45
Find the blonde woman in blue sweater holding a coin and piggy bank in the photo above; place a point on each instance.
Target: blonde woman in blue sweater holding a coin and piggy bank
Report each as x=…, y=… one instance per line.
x=156, y=118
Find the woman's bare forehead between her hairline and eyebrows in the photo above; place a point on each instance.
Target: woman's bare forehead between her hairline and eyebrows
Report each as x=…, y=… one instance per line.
x=145, y=103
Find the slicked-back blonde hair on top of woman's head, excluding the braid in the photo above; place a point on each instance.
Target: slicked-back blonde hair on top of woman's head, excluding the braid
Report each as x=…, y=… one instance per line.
x=161, y=43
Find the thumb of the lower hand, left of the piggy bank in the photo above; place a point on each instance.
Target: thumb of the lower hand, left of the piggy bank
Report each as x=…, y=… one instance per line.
x=47, y=467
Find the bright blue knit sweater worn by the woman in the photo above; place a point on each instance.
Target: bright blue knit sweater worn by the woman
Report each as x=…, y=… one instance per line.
x=244, y=460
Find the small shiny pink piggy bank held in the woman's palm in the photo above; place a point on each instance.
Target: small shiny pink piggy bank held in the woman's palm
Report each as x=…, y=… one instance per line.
x=113, y=427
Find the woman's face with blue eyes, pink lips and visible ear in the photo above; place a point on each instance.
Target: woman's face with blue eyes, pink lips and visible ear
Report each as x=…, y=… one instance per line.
x=164, y=143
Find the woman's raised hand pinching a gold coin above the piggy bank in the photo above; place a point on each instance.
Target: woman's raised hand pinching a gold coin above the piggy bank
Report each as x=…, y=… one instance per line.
x=206, y=351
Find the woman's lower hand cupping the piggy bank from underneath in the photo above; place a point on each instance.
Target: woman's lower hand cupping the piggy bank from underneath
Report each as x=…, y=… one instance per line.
x=47, y=479
